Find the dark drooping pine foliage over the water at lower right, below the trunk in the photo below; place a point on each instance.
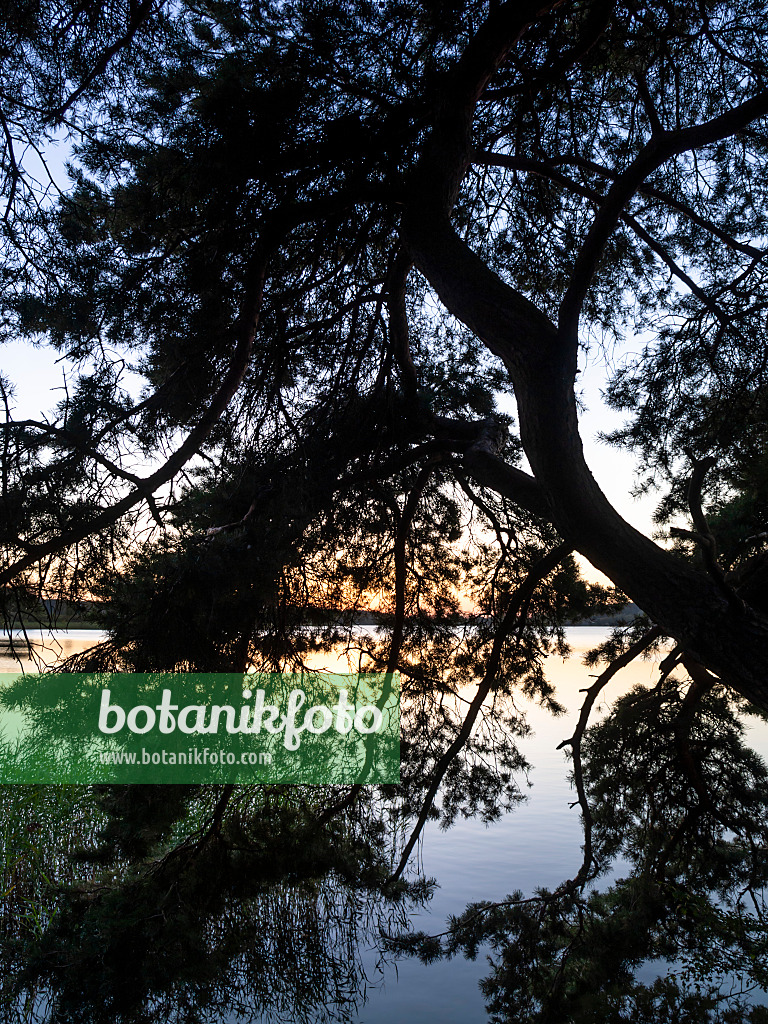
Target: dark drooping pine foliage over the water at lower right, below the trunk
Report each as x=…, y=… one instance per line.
x=669, y=789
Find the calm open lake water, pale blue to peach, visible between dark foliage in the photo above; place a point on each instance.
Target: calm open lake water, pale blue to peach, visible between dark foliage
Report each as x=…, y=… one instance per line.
x=539, y=844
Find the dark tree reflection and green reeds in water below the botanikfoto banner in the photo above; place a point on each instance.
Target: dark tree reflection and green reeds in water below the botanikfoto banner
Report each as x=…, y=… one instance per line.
x=257, y=908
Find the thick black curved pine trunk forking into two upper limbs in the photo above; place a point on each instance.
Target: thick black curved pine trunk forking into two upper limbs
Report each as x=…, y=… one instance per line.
x=543, y=366
